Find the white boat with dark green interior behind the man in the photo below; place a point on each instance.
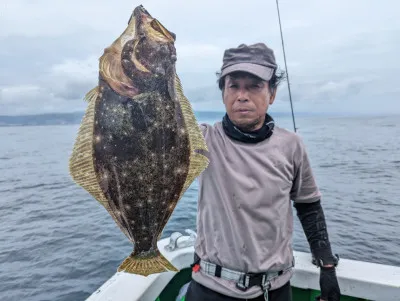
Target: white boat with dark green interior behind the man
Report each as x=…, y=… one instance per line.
x=358, y=280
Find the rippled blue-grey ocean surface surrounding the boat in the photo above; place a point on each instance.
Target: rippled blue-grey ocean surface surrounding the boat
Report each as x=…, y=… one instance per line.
x=58, y=243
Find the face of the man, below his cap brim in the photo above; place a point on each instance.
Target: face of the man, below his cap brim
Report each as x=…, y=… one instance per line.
x=246, y=100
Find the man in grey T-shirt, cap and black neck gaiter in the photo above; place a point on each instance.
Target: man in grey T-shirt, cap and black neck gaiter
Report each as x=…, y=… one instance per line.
x=244, y=210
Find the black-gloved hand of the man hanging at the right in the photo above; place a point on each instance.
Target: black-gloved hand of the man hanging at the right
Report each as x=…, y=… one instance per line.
x=330, y=290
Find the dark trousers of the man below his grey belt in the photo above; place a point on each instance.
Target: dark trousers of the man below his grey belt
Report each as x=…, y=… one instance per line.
x=198, y=292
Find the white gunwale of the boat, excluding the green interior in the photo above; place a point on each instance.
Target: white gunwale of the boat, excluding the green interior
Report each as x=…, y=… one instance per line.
x=357, y=279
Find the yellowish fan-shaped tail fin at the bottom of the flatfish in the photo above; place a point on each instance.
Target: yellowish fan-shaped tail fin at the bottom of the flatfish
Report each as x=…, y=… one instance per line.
x=146, y=265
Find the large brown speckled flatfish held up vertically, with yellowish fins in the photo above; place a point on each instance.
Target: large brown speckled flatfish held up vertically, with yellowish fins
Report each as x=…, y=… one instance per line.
x=139, y=146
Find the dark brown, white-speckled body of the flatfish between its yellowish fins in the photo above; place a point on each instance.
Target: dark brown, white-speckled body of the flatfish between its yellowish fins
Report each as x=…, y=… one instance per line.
x=142, y=154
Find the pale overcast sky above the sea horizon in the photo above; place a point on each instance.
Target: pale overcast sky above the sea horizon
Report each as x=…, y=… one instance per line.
x=342, y=55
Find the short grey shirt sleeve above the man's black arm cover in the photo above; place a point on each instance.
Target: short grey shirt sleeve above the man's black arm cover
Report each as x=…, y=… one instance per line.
x=304, y=187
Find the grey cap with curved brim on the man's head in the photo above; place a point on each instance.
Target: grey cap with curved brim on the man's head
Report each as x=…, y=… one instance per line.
x=256, y=59
